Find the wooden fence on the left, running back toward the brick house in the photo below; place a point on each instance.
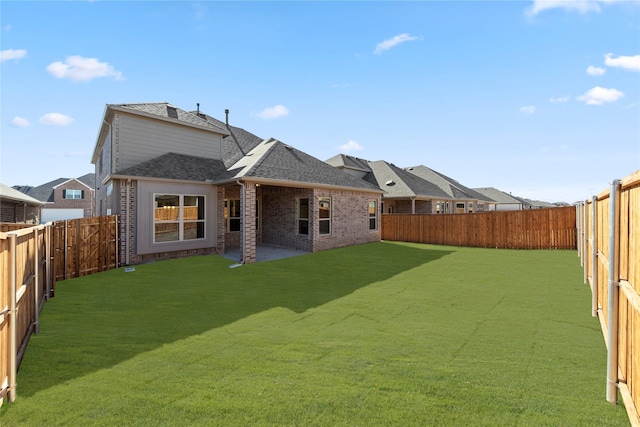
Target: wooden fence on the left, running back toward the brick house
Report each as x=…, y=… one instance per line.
x=31, y=261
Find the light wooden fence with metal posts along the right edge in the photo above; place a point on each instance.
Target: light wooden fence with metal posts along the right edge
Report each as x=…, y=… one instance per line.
x=609, y=249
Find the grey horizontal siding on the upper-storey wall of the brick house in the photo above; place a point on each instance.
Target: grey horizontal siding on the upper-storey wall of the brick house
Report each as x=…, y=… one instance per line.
x=141, y=139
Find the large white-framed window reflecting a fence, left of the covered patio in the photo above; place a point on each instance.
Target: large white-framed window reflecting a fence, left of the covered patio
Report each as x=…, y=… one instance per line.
x=178, y=217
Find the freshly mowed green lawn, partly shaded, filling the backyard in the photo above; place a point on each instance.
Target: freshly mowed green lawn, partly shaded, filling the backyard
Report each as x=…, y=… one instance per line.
x=378, y=334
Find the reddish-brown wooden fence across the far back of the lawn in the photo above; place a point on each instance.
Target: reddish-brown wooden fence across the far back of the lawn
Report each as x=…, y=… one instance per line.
x=553, y=228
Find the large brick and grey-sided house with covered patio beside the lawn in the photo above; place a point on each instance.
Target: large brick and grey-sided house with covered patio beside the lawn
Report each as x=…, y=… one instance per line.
x=185, y=183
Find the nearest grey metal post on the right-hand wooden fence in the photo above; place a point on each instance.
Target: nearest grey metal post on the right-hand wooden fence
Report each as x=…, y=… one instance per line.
x=614, y=288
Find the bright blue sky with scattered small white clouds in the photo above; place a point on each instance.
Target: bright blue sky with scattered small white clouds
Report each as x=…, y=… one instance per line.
x=537, y=98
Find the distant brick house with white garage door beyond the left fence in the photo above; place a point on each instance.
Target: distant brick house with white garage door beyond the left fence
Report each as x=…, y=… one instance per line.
x=64, y=198
